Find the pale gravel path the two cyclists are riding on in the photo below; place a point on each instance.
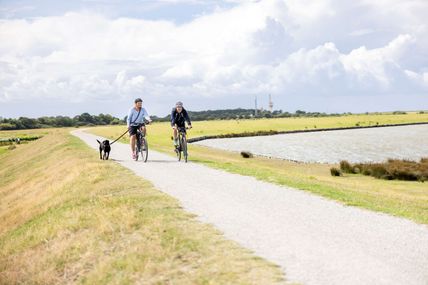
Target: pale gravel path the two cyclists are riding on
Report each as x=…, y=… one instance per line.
x=314, y=240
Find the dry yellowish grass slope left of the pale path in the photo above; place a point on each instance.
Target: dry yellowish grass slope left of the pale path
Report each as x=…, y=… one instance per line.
x=67, y=217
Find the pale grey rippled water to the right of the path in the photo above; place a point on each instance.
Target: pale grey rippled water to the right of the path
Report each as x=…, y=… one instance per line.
x=359, y=145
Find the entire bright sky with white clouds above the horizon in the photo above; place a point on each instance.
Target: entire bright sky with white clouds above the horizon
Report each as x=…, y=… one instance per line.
x=69, y=57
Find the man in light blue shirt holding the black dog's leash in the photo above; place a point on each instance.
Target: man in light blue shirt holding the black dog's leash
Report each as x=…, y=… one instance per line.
x=135, y=121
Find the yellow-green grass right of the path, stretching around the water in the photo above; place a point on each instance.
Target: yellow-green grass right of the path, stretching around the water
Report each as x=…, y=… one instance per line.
x=400, y=198
